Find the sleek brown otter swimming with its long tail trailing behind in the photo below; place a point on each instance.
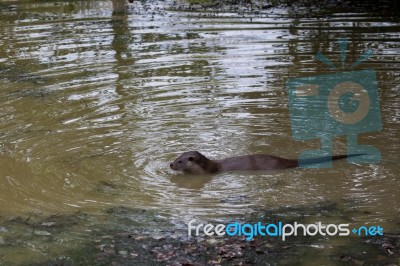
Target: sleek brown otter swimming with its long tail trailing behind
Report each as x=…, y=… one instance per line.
x=195, y=163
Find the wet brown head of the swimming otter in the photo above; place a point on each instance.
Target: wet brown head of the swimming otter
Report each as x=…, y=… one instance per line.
x=191, y=162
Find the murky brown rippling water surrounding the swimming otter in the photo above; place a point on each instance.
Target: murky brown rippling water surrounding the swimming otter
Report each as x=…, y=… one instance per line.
x=96, y=104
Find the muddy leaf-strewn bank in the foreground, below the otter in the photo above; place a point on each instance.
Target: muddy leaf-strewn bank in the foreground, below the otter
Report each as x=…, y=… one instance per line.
x=117, y=238
